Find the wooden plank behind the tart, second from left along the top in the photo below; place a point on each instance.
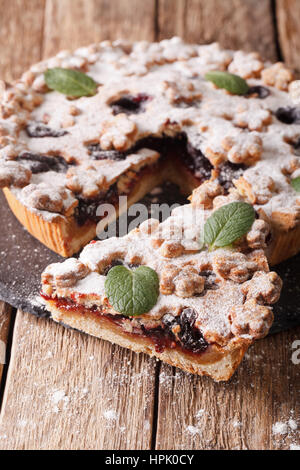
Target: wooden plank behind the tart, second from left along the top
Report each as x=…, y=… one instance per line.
x=73, y=23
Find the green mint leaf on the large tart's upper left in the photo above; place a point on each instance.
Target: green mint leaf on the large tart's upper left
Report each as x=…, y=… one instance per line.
x=70, y=82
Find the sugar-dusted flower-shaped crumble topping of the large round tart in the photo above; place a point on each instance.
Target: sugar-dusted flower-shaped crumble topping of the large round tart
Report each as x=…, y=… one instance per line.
x=155, y=90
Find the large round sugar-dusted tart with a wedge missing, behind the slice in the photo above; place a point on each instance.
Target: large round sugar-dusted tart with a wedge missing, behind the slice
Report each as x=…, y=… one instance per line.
x=148, y=112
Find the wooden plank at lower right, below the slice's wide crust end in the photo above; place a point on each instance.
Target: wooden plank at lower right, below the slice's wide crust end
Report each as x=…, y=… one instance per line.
x=200, y=414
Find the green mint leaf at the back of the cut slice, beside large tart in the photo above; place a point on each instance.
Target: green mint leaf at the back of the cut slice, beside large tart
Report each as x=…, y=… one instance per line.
x=228, y=224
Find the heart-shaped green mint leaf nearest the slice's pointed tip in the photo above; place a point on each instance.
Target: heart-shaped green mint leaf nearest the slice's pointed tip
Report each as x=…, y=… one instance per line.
x=132, y=292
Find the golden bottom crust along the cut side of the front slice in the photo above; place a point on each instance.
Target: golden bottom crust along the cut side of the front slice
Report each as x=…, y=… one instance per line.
x=216, y=362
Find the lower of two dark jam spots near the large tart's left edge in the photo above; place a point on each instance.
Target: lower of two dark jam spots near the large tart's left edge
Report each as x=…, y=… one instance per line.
x=42, y=163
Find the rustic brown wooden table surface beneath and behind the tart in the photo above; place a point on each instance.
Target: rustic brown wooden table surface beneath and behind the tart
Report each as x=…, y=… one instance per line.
x=63, y=390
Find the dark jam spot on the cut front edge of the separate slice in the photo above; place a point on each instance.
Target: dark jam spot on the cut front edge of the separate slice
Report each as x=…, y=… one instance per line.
x=190, y=337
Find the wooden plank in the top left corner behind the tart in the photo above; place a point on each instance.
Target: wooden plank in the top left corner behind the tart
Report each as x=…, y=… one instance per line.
x=21, y=27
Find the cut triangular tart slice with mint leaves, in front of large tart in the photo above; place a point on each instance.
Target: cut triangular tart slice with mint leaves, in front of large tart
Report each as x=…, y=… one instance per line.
x=161, y=291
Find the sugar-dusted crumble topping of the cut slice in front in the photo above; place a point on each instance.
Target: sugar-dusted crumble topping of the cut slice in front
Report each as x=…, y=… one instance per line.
x=229, y=292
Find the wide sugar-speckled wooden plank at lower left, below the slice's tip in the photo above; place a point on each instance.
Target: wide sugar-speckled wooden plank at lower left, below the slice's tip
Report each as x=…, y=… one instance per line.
x=67, y=390
